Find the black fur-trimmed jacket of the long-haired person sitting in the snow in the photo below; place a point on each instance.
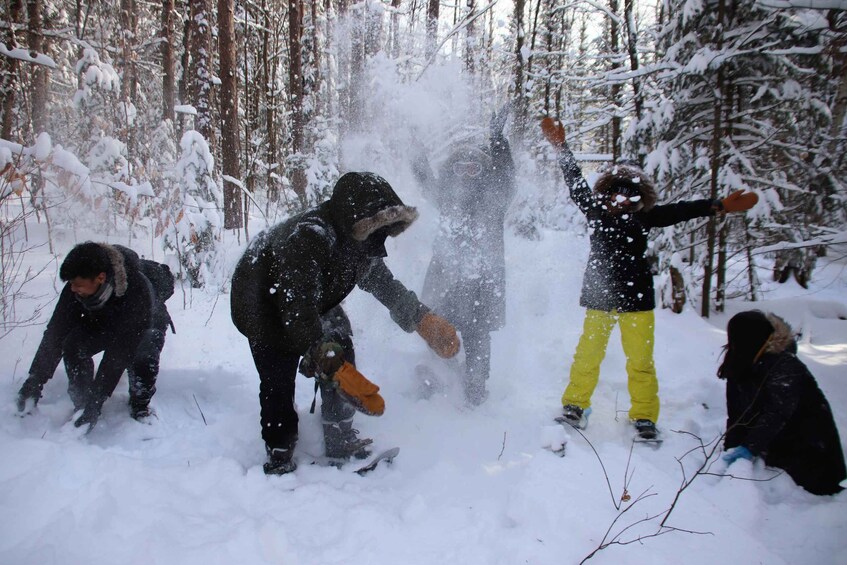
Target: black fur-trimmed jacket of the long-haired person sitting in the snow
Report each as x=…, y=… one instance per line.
x=778, y=412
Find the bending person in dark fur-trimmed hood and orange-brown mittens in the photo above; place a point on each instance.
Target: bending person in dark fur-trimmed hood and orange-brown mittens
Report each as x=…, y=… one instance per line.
x=285, y=298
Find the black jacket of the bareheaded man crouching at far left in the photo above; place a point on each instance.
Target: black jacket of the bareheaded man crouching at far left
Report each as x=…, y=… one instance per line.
x=123, y=319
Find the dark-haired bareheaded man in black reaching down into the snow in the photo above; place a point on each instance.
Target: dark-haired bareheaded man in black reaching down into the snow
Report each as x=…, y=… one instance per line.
x=109, y=304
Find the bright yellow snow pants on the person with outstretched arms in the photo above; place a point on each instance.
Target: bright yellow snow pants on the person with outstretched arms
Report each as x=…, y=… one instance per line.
x=637, y=329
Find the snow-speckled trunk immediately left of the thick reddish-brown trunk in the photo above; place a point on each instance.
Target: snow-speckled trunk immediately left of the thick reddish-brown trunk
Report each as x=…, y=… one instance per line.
x=201, y=69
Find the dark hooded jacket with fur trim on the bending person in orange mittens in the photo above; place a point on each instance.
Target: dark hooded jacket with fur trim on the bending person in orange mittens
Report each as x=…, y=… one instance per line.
x=294, y=273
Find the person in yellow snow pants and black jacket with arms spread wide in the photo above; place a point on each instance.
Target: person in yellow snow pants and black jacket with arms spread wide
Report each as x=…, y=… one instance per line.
x=618, y=285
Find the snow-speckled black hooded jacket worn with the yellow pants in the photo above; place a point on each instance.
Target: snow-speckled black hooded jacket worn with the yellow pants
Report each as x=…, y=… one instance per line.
x=618, y=275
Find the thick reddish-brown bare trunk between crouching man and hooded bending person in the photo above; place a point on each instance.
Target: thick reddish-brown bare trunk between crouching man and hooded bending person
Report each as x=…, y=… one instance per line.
x=230, y=142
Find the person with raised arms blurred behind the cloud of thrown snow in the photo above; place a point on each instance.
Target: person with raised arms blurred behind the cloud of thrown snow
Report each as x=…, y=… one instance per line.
x=466, y=278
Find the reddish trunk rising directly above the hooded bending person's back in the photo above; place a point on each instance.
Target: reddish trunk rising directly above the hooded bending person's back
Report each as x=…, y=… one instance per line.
x=295, y=95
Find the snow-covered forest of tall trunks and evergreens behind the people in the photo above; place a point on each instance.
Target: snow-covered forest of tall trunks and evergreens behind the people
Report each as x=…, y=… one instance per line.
x=172, y=122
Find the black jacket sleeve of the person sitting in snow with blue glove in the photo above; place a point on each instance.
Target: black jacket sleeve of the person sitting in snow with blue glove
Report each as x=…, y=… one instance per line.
x=781, y=393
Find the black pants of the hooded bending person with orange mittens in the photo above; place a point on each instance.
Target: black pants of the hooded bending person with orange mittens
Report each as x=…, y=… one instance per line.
x=277, y=375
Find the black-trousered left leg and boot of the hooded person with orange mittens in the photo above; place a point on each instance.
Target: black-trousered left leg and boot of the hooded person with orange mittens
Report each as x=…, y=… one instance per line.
x=277, y=373
